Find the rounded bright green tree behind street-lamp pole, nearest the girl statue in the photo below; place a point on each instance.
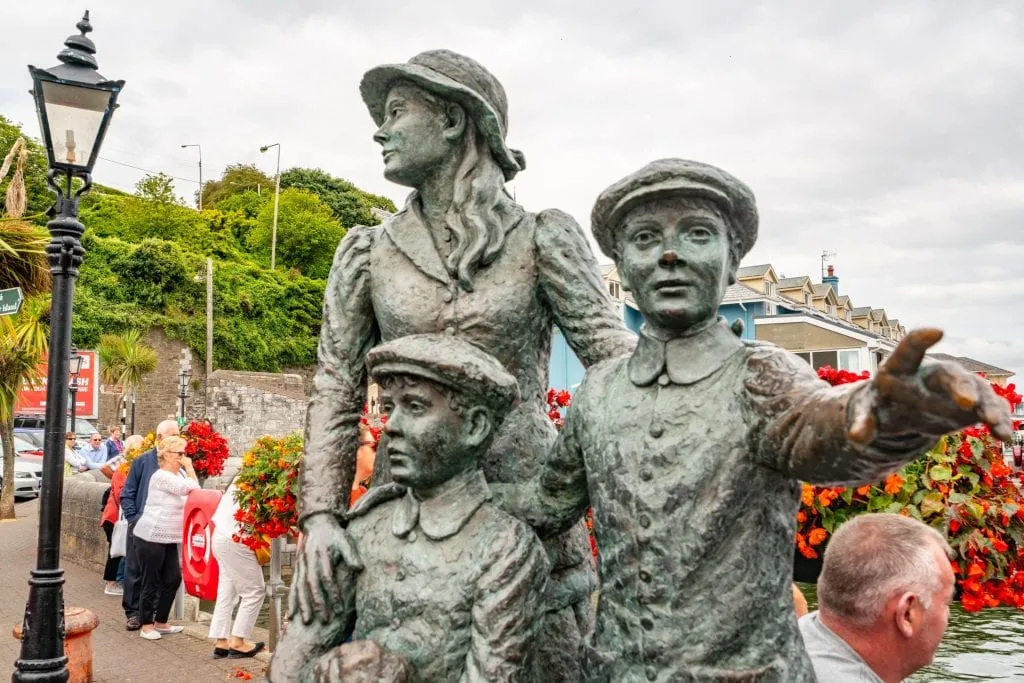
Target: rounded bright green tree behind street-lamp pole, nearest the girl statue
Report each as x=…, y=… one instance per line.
x=308, y=233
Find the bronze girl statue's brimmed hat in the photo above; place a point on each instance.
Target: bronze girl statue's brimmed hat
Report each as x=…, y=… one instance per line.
x=456, y=78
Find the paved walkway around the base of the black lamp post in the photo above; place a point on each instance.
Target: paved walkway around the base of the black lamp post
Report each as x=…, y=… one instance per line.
x=118, y=655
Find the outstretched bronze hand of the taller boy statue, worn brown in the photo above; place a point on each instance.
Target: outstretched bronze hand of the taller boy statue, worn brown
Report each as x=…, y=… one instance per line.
x=935, y=398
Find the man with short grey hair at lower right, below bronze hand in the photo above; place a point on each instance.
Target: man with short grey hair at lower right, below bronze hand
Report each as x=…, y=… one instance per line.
x=884, y=599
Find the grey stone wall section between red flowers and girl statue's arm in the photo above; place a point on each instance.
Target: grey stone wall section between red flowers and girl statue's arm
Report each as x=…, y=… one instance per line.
x=244, y=407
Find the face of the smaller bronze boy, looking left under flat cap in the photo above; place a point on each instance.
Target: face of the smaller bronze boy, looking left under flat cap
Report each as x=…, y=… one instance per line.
x=424, y=437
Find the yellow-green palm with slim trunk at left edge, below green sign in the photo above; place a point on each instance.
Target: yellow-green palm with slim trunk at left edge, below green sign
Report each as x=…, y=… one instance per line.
x=20, y=359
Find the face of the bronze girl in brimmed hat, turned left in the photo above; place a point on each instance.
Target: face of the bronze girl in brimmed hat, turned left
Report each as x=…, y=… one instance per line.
x=412, y=137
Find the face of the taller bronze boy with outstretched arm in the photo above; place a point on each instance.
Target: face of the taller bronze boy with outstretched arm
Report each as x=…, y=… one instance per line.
x=674, y=258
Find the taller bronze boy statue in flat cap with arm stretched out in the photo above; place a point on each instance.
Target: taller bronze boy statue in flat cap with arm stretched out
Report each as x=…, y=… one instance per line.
x=692, y=451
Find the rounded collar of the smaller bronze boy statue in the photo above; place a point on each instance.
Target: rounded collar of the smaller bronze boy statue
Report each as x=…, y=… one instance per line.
x=445, y=515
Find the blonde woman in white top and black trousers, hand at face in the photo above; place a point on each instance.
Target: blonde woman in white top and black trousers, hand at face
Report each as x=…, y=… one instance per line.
x=158, y=535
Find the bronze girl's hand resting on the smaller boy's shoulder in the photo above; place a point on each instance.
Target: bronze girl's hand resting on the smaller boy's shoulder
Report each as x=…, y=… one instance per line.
x=315, y=590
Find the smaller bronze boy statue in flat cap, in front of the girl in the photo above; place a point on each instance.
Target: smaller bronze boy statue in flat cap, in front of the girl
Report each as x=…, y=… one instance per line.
x=450, y=585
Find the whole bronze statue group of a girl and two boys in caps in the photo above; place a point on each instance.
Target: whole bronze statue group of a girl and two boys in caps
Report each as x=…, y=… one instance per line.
x=468, y=559
